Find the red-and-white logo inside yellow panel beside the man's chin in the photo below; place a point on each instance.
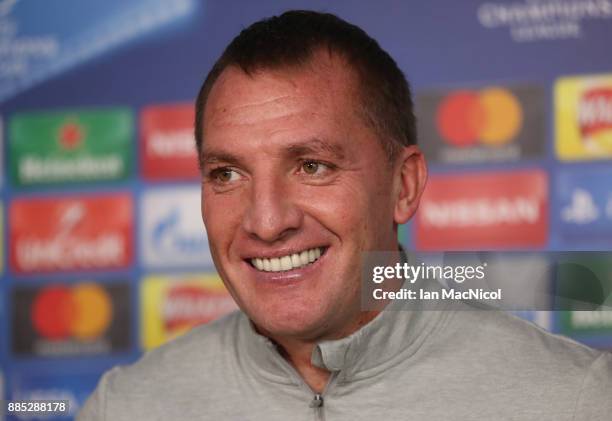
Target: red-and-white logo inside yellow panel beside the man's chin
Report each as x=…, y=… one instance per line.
x=190, y=305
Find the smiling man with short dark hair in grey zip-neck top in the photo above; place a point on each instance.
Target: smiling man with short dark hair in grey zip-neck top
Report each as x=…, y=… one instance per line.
x=306, y=138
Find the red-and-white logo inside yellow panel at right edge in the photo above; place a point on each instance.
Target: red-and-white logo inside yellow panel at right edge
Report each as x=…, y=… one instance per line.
x=595, y=111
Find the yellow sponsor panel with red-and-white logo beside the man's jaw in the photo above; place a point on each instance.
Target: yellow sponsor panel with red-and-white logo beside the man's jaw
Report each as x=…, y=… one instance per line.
x=172, y=305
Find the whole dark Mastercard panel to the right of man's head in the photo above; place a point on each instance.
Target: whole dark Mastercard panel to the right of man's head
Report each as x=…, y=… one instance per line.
x=477, y=125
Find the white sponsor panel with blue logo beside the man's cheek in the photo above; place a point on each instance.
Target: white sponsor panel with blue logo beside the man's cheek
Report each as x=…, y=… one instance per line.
x=172, y=231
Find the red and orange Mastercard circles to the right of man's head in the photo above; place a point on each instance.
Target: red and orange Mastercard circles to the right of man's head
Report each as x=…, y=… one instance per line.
x=491, y=116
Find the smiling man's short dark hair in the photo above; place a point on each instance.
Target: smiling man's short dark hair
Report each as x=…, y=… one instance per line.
x=292, y=38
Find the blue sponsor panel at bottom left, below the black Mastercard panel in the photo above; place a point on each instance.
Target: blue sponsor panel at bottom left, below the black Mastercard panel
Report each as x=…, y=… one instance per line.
x=73, y=388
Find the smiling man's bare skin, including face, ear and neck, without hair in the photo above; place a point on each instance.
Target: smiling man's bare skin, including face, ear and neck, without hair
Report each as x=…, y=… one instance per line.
x=291, y=170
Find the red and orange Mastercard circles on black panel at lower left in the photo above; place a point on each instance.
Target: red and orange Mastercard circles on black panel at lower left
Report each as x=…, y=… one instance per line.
x=82, y=312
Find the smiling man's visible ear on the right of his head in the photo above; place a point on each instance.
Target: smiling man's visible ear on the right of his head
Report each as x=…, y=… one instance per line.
x=410, y=176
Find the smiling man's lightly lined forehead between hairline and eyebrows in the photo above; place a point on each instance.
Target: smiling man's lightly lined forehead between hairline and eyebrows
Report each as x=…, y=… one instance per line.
x=325, y=85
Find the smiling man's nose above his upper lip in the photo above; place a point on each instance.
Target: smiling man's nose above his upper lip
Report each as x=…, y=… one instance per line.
x=272, y=215
